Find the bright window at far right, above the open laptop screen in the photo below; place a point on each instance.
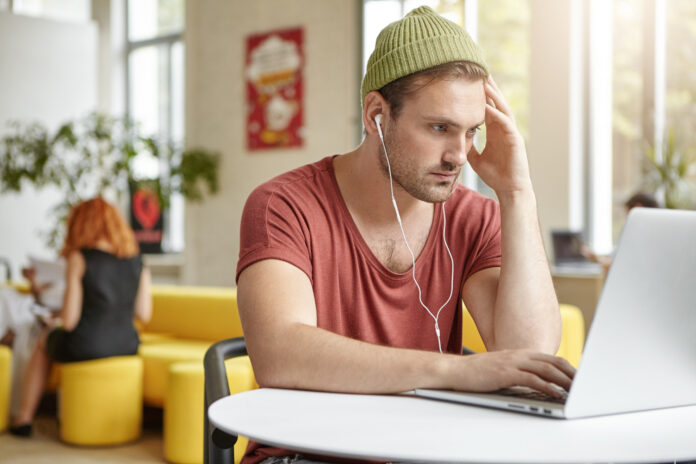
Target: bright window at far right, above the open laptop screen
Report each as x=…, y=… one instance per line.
x=654, y=88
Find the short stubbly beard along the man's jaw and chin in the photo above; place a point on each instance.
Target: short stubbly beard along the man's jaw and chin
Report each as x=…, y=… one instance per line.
x=406, y=175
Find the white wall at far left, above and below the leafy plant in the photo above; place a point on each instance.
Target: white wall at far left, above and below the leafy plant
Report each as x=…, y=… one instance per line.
x=47, y=74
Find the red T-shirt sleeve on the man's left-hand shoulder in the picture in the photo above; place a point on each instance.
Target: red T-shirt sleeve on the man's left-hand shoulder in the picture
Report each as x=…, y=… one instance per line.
x=272, y=227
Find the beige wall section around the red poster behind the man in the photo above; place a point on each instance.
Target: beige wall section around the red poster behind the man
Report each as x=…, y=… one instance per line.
x=215, y=36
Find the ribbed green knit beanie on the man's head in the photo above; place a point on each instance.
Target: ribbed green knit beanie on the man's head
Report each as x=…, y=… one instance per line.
x=420, y=40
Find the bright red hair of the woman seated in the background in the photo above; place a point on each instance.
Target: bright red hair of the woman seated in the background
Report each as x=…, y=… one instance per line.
x=96, y=221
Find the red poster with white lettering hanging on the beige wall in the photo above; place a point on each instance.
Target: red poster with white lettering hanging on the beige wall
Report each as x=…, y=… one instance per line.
x=274, y=81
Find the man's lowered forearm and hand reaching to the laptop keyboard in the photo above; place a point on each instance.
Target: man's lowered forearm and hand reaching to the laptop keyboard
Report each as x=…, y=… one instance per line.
x=314, y=359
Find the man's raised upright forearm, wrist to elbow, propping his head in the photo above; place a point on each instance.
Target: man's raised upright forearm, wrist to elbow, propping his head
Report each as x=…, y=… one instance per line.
x=526, y=309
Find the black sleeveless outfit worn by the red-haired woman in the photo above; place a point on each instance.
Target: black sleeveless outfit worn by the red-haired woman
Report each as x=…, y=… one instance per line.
x=105, y=328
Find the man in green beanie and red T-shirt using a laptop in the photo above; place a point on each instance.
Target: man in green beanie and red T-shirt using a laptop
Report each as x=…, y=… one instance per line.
x=338, y=291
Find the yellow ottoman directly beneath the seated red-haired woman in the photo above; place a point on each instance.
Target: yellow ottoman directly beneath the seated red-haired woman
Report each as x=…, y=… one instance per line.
x=101, y=401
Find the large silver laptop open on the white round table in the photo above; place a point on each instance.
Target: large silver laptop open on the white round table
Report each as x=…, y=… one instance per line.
x=640, y=352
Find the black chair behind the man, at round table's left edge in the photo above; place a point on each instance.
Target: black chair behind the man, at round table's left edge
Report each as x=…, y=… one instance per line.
x=218, y=446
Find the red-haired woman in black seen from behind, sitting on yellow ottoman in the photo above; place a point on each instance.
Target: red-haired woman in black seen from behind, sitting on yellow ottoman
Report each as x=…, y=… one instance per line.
x=105, y=288
